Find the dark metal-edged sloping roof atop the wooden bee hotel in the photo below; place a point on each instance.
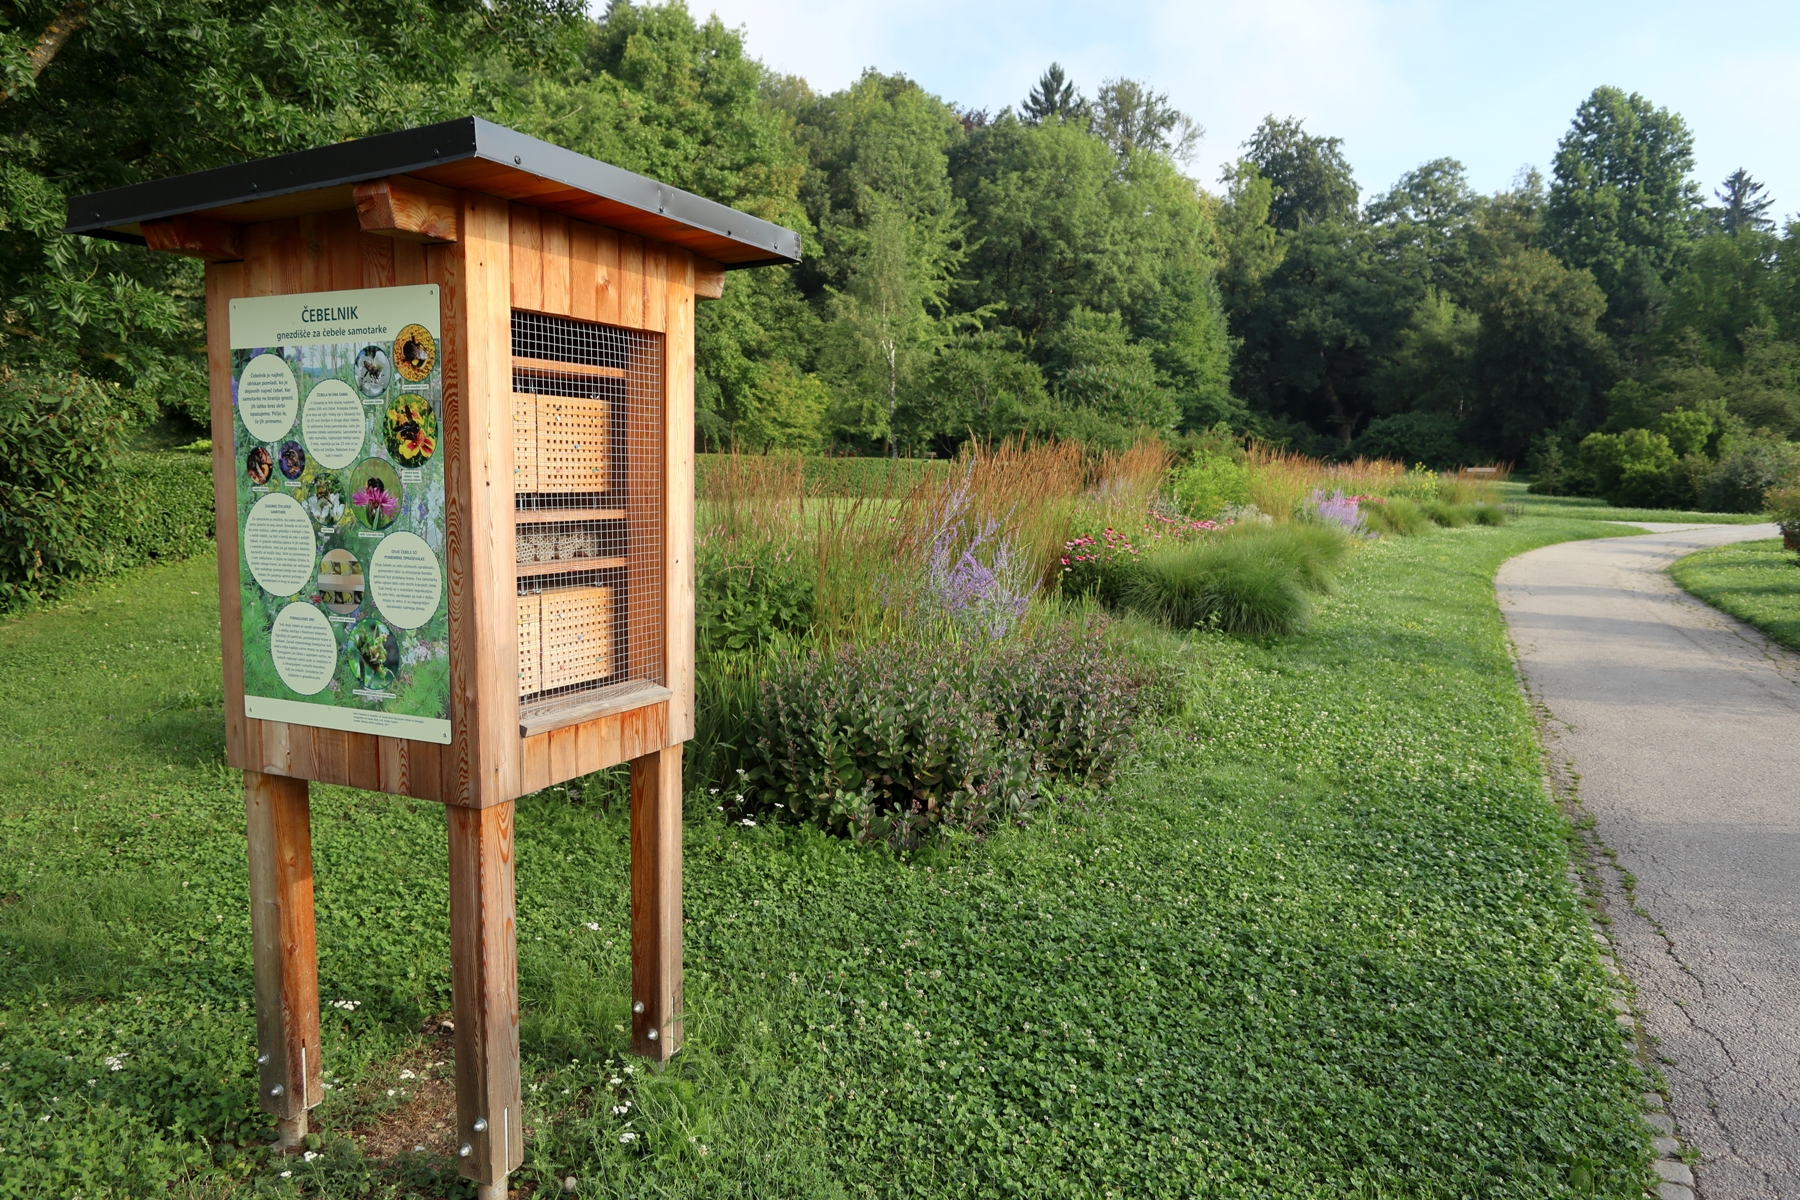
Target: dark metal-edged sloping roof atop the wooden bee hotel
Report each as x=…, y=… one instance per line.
x=467, y=152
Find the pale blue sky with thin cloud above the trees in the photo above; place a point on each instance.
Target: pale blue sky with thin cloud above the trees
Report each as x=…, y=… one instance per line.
x=1403, y=82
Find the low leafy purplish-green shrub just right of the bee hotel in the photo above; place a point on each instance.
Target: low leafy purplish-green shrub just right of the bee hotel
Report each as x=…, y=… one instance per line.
x=895, y=740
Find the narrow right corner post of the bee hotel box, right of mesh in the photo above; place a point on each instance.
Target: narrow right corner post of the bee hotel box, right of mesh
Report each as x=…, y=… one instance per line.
x=678, y=474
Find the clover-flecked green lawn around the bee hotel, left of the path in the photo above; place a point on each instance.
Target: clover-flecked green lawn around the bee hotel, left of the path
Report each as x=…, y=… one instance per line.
x=1320, y=942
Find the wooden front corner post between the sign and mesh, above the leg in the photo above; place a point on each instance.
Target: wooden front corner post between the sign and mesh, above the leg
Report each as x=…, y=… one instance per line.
x=478, y=296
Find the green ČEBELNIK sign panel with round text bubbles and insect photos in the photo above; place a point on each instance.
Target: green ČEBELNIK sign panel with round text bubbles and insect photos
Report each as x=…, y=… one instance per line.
x=337, y=409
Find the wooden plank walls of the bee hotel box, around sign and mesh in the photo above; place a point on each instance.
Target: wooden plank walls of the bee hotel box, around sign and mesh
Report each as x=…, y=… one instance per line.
x=507, y=256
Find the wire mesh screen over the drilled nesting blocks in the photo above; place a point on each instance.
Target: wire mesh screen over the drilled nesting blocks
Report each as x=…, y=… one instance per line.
x=588, y=481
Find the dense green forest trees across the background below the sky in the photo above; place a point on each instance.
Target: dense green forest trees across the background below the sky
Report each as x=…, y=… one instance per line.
x=1050, y=269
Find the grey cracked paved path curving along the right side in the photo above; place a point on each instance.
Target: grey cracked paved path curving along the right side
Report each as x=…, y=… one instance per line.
x=1684, y=733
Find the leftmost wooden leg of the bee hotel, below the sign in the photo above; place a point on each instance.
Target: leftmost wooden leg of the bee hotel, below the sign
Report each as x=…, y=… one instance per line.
x=283, y=951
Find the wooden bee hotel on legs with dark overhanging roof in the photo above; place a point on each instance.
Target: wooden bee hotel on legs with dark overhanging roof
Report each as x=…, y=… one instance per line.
x=453, y=449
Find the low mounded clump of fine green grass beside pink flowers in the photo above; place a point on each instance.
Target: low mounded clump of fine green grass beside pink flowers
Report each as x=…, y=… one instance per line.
x=1250, y=580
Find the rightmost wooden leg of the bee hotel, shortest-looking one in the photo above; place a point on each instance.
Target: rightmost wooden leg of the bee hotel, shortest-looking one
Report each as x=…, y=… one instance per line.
x=656, y=904
